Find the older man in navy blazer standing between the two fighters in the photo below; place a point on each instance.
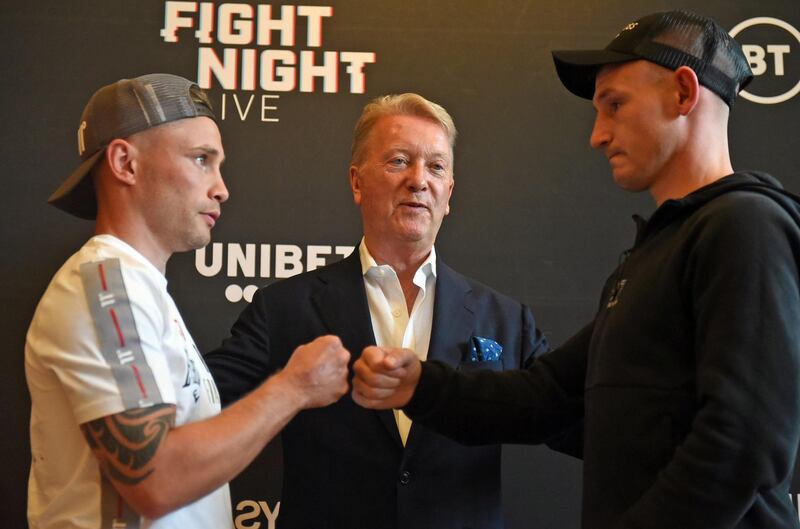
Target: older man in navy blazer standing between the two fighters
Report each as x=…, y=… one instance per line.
x=346, y=467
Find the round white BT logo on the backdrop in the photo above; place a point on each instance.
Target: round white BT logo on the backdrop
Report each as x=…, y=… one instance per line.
x=771, y=46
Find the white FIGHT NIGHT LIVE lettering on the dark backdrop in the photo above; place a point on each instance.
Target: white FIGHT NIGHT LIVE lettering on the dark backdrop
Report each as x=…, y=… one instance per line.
x=245, y=48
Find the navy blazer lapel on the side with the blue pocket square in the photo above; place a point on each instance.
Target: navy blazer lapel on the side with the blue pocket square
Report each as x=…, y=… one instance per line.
x=453, y=323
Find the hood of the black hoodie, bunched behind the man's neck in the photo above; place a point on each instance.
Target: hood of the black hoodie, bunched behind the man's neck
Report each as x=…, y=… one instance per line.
x=752, y=181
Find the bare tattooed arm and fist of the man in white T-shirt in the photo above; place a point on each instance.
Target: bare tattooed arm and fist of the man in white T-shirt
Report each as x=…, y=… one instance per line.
x=158, y=468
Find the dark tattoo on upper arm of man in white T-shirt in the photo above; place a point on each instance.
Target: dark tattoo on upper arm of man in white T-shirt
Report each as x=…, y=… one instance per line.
x=126, y=442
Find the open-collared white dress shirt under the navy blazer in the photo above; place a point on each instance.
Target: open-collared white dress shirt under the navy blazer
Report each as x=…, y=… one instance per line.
x=392, y=325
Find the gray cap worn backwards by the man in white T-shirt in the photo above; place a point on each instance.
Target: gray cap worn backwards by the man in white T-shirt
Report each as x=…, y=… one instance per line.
x=119, y=110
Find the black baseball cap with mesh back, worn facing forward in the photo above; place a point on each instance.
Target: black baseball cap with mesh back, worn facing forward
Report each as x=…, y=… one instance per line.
x=670, y=39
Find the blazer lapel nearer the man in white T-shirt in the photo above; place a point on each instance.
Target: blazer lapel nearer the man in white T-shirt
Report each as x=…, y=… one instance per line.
x=342, y=304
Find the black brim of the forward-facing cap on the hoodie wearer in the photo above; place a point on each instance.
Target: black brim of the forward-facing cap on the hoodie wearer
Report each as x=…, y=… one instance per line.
x=578, y=69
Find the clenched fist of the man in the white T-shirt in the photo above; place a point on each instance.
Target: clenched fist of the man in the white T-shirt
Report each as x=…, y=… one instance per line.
x=317, y=372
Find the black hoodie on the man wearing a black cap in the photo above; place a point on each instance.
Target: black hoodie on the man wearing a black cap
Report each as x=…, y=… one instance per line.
x=684, y=386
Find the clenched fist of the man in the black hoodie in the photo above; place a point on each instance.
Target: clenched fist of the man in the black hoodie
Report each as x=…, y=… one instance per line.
x=386, y=377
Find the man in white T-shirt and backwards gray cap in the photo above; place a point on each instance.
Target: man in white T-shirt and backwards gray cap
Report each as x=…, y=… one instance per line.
x=126, y=429
